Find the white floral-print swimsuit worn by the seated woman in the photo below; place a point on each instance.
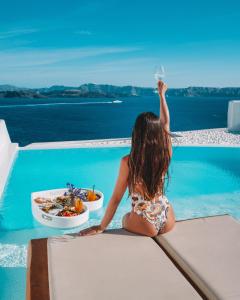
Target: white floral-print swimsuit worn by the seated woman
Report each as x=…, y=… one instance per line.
x=154, y=211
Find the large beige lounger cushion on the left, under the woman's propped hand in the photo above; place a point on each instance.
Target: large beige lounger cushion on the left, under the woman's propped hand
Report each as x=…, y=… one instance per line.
x=113, y=265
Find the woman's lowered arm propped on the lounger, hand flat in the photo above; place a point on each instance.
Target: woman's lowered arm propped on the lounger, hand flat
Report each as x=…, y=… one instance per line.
x=119, y=190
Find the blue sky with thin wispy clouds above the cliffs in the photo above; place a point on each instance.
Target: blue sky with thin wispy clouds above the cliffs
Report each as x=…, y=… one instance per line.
x=119, y=42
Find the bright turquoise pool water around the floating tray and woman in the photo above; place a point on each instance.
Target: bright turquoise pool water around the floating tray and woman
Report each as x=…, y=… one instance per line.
x=204, y=181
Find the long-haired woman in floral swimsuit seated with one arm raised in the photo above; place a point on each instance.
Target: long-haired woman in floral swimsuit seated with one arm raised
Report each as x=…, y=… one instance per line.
x=143, y=172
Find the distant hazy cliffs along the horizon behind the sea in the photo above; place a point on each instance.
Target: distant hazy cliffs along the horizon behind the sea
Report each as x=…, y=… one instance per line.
x=91, y=90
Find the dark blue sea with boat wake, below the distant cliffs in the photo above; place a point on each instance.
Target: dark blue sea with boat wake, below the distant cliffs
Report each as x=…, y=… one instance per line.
x=68, y=119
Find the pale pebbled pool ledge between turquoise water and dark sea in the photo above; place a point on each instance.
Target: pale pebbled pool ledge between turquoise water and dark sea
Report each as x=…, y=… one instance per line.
x=206, y=137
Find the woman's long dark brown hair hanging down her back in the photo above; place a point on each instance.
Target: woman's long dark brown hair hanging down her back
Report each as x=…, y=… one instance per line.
x=150, y=156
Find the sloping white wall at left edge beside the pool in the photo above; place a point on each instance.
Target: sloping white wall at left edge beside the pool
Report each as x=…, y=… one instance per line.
x=8, y=151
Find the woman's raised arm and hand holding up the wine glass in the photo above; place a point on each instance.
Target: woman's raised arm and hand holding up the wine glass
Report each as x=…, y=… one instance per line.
x=164, y=112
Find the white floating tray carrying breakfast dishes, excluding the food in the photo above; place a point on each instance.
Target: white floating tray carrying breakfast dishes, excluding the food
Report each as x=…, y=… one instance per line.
x=51, y=218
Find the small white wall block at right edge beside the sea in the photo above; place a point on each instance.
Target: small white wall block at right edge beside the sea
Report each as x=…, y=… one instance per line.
x=234, y=116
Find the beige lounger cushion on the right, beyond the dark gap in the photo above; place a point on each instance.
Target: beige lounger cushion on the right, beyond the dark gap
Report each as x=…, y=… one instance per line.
x=208, y=250
